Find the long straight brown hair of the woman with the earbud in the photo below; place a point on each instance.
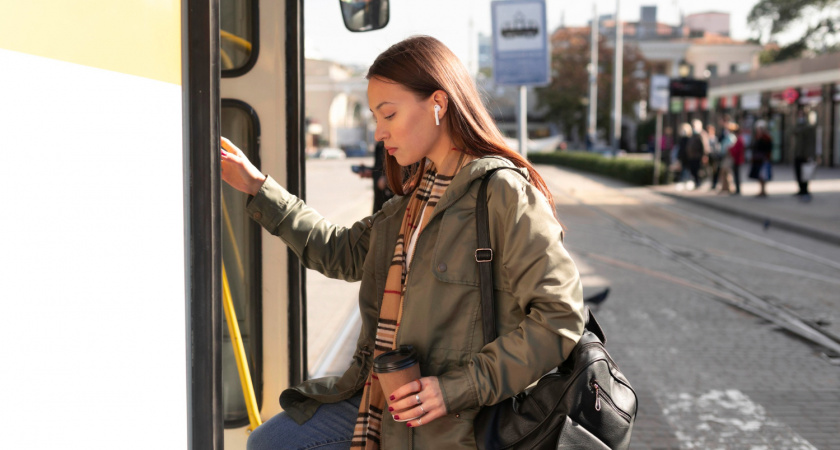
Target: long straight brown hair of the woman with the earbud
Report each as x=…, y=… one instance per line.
x=424, y=65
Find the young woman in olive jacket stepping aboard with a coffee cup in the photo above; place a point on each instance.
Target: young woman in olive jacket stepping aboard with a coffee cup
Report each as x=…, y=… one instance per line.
x=416, y=262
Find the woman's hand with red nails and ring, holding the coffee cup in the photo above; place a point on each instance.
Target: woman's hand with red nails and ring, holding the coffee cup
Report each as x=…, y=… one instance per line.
x=420, y=399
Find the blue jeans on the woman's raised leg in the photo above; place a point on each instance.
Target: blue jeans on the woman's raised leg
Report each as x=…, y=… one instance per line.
x=331, y=428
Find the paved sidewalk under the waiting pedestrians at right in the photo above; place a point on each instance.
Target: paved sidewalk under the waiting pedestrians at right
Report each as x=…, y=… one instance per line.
x=819, y=218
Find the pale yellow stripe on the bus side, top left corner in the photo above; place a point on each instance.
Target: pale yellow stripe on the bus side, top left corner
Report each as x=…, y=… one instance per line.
x=137, y=37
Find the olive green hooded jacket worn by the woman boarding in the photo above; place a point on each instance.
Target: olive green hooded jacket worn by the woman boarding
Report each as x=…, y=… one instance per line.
x=539, y=303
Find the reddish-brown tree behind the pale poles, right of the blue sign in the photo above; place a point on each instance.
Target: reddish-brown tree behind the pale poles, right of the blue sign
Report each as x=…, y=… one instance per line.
x=566, y=97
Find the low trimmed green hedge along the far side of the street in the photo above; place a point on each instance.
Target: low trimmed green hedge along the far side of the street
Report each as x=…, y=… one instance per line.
x=631, y=170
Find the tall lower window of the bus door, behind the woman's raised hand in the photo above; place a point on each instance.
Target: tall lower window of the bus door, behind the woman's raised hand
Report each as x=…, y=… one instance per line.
x=241, y=257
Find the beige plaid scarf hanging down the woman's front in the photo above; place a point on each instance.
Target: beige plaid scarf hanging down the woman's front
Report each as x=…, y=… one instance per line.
x=432, y=186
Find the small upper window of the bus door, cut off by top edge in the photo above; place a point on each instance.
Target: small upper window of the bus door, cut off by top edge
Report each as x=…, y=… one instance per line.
x=239, y=43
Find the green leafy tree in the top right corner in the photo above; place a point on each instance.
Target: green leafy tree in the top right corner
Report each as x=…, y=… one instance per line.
x=817, y=20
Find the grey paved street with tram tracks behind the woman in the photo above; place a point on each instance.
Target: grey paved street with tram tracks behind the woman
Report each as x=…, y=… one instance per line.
x=712, y=318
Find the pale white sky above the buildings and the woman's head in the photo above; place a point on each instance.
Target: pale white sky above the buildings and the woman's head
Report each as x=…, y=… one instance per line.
x=458, y=22
